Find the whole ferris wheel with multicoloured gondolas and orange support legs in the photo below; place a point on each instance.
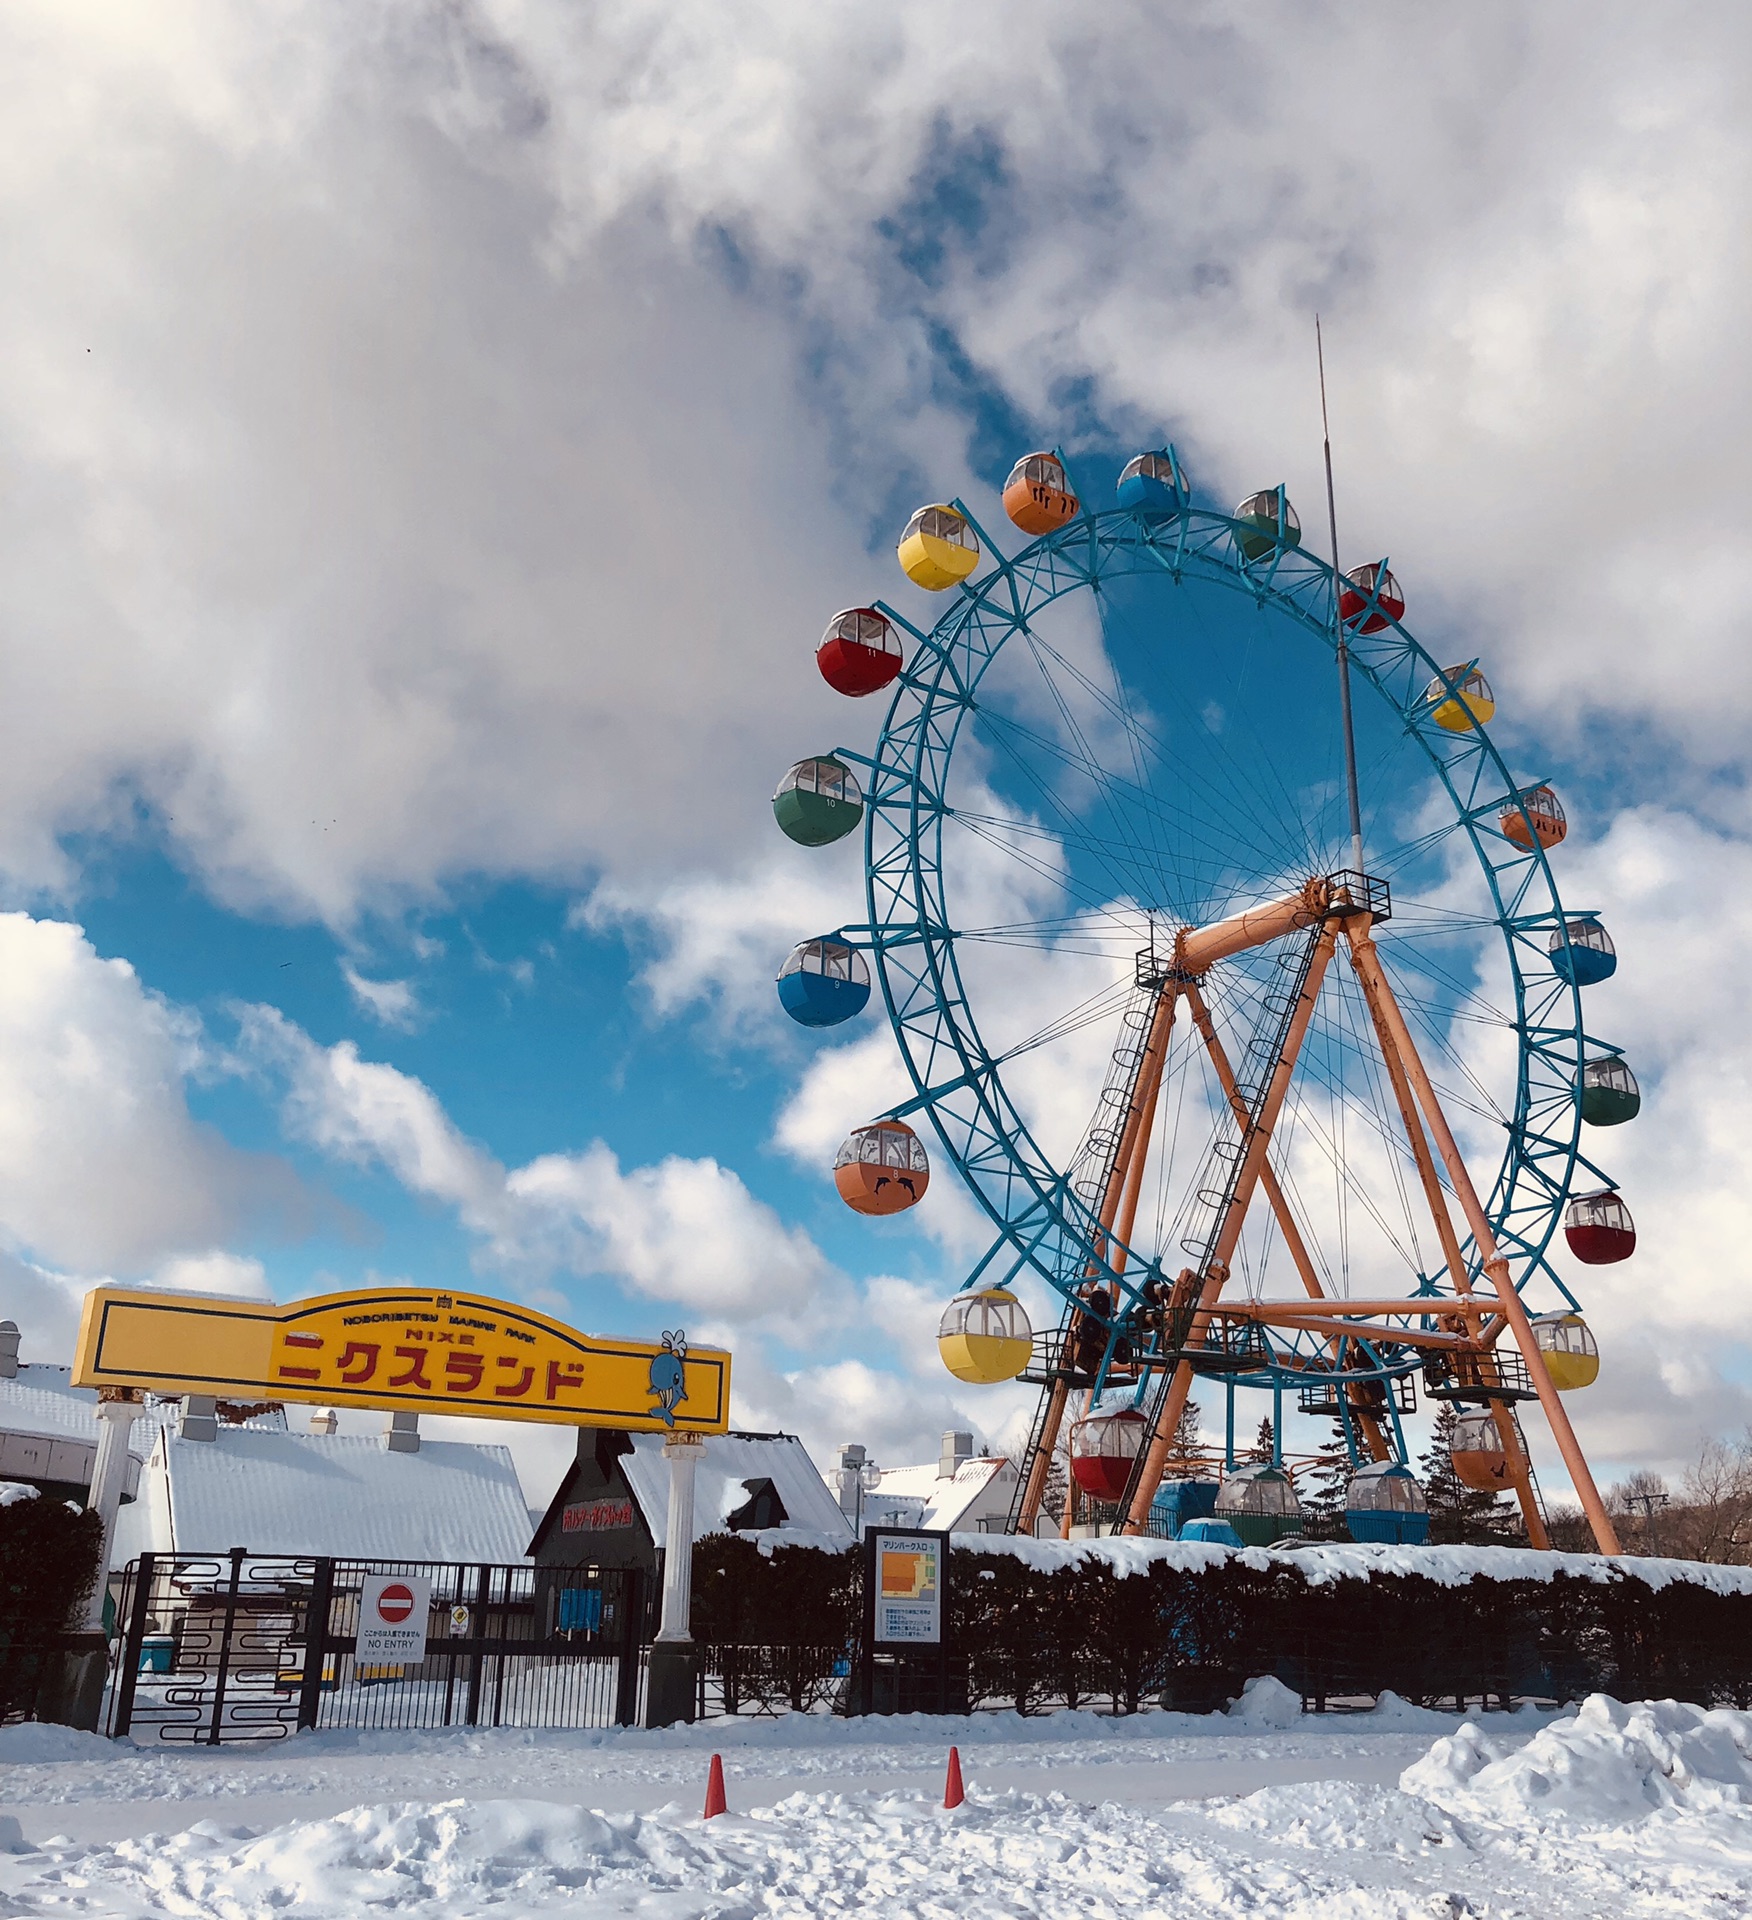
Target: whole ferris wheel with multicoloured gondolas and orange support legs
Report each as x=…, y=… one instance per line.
x=1254, y=1022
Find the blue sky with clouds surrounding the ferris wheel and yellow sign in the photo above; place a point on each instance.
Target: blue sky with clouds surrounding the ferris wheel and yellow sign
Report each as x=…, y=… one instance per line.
x=433, y=439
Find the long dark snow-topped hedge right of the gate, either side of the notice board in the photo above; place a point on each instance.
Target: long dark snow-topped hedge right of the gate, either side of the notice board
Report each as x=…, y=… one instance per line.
x=1129, y=1621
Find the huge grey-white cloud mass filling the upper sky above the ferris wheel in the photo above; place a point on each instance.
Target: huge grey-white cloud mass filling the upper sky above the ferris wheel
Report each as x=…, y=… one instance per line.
x=437, y=443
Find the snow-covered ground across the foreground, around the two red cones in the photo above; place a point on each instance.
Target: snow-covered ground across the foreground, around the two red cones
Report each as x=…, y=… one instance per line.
x=1609, y=1812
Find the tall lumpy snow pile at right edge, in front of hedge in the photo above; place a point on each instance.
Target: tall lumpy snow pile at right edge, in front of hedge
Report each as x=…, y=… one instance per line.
x=1603, y=1765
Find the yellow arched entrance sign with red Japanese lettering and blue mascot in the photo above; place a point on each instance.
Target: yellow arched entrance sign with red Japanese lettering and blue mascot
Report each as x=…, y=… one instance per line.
x=400, y=1347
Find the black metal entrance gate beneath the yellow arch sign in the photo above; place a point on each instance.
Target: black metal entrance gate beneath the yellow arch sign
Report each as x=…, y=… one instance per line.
x=256, y=1646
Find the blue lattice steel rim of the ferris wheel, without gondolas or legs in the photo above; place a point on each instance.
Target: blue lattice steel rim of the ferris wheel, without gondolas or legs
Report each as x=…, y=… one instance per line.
x=1043, y=1222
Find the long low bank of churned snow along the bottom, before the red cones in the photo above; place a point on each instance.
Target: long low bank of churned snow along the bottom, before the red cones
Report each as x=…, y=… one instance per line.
x=1024, y=1856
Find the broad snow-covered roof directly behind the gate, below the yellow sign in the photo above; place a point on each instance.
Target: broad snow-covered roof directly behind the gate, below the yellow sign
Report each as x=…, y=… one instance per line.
x=343, y=1495
